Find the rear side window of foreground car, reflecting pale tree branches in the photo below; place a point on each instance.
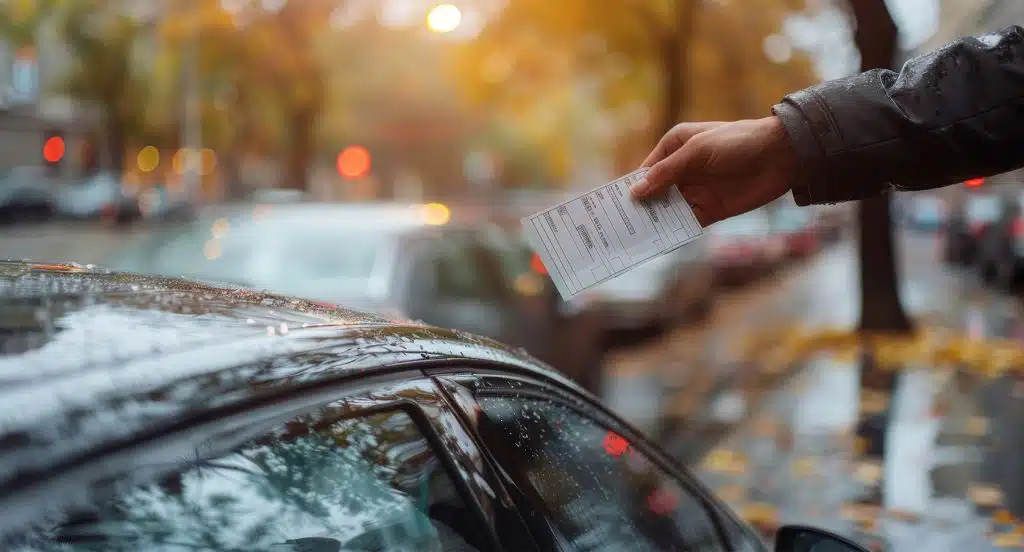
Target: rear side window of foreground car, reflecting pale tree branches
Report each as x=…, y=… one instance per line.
x=372, y=482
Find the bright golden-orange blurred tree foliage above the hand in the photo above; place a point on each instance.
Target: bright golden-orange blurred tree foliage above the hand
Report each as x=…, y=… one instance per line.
x=634, y=54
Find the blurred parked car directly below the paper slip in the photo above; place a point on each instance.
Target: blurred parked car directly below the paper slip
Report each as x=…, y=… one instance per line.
x=658, y=293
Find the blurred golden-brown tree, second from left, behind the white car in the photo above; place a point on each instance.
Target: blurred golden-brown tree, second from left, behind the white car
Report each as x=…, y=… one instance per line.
x=263, y=77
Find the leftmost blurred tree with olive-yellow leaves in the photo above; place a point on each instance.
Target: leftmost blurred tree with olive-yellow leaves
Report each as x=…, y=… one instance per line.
x=102, y=41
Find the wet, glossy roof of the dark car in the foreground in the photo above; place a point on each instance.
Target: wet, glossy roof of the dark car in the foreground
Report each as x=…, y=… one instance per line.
x=94, y=358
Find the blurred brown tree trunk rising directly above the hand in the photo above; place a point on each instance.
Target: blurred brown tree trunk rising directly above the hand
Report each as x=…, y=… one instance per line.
x=675, y=57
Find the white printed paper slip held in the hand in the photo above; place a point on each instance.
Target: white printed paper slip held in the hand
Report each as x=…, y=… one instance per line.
x=605, y=233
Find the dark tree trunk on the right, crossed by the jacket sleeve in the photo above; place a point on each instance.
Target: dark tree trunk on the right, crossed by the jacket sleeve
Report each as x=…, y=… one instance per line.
x=881, y=310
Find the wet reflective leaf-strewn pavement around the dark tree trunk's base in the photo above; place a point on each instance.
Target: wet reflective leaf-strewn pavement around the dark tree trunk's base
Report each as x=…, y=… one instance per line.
x=932, y=461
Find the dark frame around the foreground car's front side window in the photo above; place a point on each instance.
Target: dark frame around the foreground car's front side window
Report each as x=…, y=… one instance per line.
x=462, y=384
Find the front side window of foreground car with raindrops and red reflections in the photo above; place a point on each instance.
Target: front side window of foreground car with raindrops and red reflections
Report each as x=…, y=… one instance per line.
x=600, y=491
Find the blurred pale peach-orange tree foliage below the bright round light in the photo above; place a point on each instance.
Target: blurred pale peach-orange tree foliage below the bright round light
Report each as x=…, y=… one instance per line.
x=399, y=104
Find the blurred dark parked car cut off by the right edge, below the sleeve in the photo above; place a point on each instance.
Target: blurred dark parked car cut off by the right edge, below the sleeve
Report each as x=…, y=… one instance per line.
x=1001, y=247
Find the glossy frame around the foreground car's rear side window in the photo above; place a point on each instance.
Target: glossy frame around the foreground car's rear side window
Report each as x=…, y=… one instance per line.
x=254, y=418
